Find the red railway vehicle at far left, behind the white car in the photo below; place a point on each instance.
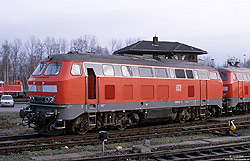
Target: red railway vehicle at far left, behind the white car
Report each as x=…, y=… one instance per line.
x=13, y=88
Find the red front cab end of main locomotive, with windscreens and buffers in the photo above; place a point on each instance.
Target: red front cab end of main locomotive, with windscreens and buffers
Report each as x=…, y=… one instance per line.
x=50, y=106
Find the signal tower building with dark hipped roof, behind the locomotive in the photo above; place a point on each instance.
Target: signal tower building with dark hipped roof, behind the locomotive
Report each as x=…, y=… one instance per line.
x=162, y=49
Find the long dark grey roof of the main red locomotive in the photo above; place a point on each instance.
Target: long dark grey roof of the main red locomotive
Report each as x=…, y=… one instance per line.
x=125, y=60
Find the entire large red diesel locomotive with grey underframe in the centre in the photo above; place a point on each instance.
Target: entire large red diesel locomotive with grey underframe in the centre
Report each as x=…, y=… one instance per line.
x=79, y=92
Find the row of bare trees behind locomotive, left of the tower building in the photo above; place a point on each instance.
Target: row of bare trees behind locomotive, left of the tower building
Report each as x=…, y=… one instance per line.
x=18, y=59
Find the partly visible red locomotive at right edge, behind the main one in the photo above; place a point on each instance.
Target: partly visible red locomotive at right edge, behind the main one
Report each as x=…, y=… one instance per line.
x=236, y=89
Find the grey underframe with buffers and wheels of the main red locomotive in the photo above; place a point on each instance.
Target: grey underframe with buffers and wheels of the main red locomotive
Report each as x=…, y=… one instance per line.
x=81, y=118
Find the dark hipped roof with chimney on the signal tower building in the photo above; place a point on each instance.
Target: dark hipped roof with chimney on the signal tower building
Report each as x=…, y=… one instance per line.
x=156, y=47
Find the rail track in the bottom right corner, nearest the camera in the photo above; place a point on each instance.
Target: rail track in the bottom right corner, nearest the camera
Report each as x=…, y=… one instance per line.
x=218, y=152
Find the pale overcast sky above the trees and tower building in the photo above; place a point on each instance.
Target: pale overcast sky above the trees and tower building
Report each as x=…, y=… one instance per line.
x=221, y=27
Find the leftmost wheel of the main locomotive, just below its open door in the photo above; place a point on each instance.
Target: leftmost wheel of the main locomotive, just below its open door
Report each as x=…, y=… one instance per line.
x=81, y=125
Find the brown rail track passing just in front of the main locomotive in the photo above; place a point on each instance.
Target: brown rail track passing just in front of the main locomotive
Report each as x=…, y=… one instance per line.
x=36, y=142
